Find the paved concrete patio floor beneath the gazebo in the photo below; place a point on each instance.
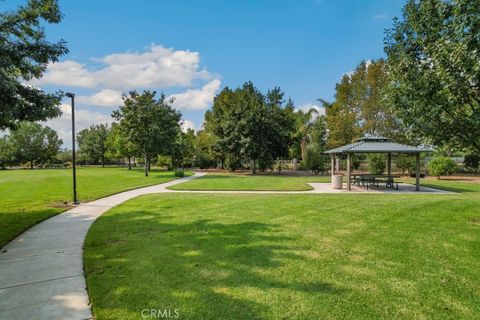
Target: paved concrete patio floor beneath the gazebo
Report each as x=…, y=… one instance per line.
x=403, y=188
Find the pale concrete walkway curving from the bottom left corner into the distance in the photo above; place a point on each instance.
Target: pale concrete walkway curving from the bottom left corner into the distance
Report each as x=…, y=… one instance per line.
x=41, y=271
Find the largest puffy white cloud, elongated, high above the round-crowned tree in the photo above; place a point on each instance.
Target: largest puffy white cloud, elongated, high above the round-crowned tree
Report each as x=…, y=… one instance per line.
x=157, y=67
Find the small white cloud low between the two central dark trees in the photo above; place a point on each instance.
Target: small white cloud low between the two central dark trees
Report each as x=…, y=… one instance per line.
x=196, y=99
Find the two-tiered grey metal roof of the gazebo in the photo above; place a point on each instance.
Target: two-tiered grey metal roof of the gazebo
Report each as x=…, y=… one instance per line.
x=372, y=144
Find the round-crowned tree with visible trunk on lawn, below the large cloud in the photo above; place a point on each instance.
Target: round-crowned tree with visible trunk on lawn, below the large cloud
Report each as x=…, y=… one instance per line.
x=152, y=125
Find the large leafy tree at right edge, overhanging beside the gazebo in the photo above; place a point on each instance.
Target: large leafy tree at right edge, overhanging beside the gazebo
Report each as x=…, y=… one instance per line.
x=434, y=61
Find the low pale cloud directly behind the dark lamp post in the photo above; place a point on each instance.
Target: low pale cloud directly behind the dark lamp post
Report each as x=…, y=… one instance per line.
x=83, y=119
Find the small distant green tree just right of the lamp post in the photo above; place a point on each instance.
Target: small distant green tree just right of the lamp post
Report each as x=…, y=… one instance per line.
x=92, y=143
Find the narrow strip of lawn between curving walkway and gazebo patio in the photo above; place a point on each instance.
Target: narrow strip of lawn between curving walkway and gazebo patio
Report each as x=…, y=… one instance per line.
x=250, y=182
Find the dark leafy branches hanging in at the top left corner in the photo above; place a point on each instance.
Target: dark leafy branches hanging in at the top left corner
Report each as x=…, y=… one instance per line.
x=24, y=55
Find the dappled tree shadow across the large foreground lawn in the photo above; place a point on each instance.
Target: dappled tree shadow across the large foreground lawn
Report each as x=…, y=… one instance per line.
x=206, y=269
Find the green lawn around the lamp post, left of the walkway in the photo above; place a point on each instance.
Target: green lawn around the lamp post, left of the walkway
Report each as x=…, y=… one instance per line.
x=30, y=196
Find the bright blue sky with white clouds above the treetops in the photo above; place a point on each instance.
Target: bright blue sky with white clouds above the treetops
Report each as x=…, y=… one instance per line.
x=192, y=49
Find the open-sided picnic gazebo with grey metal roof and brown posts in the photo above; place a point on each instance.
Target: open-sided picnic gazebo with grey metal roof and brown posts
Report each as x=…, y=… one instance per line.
x=372, y=144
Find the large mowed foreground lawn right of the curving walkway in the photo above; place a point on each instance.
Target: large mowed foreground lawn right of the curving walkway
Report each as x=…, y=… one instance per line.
x=334, y=256
